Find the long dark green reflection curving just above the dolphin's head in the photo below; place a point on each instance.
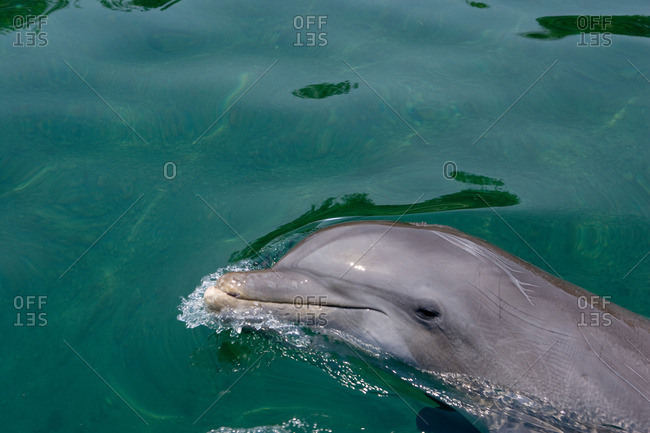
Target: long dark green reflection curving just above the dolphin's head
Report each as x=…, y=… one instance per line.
x=360, y=205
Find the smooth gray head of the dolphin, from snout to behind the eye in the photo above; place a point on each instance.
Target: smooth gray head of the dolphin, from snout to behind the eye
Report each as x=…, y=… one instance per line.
x=406, y=290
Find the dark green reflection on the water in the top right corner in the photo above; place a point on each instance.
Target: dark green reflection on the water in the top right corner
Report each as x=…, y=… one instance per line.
x=557, y=27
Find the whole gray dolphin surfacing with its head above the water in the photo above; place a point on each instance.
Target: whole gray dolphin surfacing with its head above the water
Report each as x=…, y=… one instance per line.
x=456, y=306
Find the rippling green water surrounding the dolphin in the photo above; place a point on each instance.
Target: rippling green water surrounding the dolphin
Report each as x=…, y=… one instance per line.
x=109, y=152
